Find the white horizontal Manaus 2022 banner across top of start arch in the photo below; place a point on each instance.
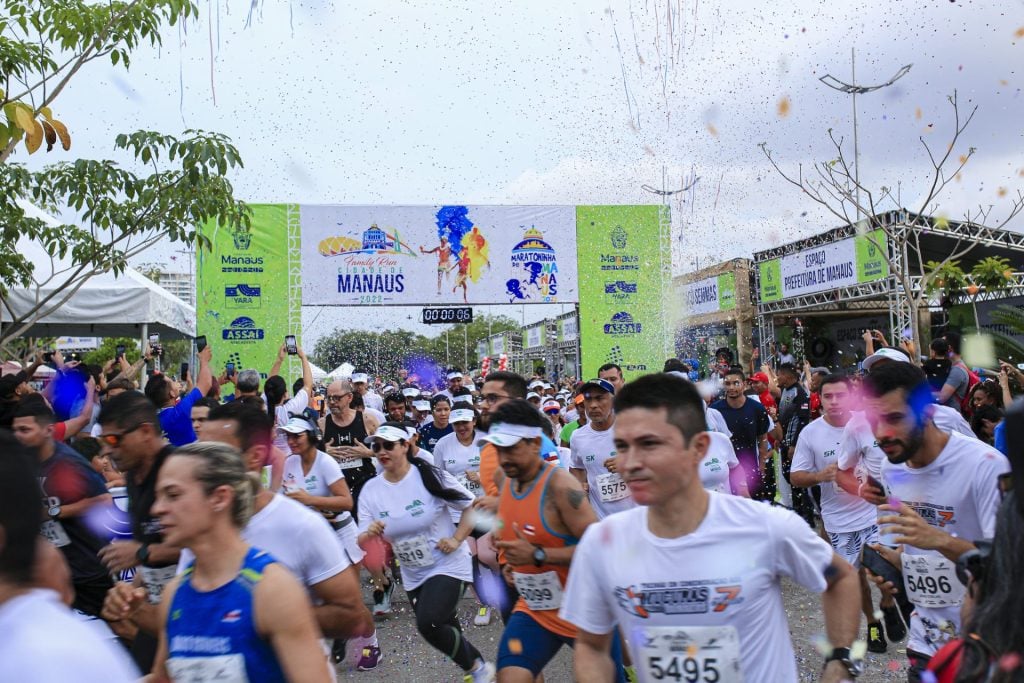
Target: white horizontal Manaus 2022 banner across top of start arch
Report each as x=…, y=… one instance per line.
x=408, y=255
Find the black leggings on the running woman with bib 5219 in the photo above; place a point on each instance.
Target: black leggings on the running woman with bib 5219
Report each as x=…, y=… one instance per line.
x=437, y=606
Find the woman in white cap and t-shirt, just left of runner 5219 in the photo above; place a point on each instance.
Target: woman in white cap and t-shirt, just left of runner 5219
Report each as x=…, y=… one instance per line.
x=315, y=479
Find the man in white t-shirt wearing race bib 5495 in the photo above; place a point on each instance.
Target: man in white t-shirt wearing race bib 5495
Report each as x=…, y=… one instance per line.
x=693, y=577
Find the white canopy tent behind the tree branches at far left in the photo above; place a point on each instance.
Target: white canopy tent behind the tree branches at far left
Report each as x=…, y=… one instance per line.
x=107, y=306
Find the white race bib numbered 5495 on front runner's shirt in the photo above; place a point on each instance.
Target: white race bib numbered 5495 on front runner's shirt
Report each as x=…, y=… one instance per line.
x=695, y=655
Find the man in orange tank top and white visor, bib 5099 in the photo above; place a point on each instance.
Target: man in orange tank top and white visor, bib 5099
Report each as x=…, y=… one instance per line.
x=542, y=511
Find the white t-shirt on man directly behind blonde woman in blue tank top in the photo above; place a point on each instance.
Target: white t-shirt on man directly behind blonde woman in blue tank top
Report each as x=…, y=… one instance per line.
x=296, y=537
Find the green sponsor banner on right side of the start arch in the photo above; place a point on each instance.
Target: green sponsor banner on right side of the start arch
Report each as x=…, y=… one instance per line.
x=624, y=279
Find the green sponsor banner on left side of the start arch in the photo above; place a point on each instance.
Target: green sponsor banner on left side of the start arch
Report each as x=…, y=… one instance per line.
x=245, y=305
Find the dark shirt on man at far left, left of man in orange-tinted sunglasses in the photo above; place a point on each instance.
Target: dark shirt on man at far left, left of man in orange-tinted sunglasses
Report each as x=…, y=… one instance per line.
x=65, y=479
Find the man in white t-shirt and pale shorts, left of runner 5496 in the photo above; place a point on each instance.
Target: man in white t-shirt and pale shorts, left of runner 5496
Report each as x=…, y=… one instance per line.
x=849, y=521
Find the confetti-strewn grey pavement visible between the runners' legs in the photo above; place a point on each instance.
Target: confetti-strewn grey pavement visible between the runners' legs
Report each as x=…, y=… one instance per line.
x=409, y=659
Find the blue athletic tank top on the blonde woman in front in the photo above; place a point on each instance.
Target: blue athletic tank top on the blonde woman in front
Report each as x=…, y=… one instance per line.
x=212, y=636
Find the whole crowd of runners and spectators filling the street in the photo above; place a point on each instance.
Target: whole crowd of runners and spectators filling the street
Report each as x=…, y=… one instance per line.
x=223, y=528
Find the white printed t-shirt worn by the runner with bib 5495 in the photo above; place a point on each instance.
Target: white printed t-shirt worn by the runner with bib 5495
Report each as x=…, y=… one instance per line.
x=724, y=575
